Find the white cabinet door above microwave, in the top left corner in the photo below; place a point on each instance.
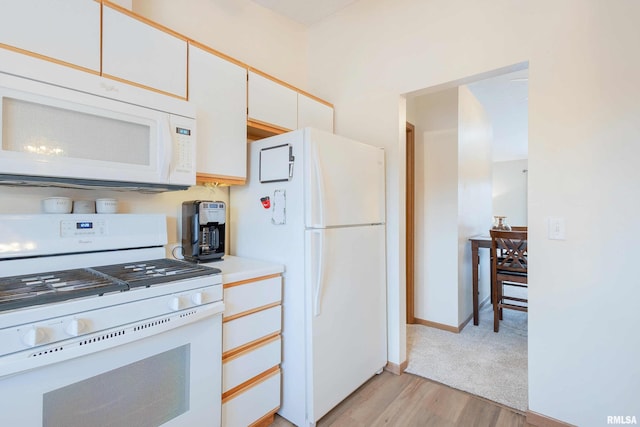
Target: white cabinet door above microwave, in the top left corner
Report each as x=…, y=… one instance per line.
x=66, y=31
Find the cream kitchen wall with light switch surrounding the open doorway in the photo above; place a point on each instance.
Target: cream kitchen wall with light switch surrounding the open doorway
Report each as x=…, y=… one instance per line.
x=583, y=154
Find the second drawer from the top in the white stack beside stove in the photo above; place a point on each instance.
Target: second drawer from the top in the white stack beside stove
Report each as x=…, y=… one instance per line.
x=246, y=329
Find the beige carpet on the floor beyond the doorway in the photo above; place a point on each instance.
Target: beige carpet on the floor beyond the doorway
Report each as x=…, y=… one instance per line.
x=477, y=360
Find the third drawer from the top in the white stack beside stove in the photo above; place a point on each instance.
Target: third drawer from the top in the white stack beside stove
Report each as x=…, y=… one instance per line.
x=251, y=363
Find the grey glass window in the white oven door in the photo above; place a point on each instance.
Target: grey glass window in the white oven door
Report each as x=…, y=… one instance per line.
x=146, y=393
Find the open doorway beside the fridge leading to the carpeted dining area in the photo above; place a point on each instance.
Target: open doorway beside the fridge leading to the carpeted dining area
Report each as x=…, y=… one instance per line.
x=446, y=184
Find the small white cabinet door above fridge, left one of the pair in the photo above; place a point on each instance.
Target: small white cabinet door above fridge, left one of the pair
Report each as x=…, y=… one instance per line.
x=272, y=103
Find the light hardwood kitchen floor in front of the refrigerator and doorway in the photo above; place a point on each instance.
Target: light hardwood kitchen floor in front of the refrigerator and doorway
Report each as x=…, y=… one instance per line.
x=408, y=400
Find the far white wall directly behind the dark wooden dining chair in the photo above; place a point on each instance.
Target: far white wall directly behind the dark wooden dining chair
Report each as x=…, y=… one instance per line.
x=510, y=190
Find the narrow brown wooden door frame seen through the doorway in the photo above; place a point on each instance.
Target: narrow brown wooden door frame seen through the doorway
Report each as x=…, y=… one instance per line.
x=410, y=221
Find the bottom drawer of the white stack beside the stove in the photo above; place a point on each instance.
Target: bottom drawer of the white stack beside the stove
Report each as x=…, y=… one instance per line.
x=253, y=403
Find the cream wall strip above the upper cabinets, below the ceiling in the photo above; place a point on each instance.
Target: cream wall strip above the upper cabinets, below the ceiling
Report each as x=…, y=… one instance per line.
x=241, y=29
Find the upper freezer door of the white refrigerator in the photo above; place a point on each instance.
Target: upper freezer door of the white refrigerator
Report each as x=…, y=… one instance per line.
x=344, y=182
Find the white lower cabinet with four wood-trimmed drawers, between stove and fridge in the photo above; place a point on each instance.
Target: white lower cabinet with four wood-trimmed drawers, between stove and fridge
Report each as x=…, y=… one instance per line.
x=252, y=351
